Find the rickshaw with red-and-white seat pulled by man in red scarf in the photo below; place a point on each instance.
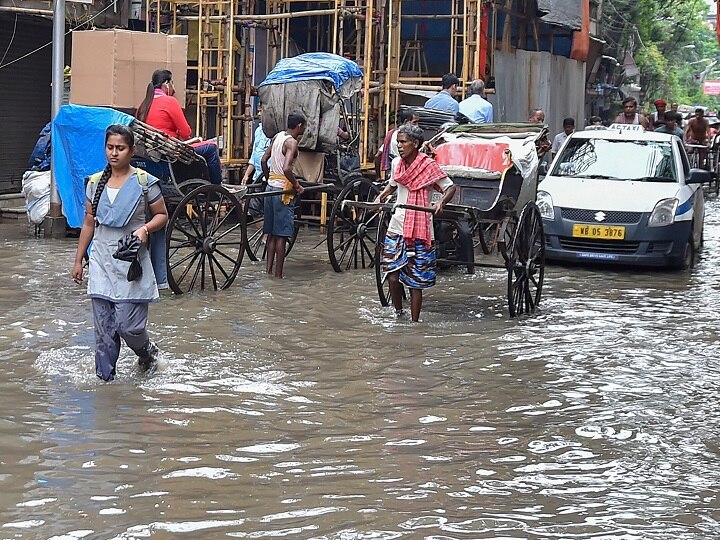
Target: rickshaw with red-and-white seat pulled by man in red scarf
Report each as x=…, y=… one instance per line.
x=493, y=213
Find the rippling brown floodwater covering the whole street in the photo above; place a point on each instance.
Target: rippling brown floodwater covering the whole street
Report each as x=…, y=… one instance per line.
x=303, y=409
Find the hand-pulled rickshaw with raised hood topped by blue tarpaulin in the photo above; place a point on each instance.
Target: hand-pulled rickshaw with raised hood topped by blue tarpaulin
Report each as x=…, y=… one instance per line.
x=325, y=88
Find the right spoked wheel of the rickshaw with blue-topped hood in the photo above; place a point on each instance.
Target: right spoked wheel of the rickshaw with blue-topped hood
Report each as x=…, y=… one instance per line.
x=352, y=233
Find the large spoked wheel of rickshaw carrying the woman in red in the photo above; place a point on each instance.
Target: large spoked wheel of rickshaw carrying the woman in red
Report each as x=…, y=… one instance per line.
x=204, y=245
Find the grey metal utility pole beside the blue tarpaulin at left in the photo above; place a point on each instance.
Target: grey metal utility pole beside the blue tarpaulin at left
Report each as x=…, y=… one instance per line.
x=54, y=223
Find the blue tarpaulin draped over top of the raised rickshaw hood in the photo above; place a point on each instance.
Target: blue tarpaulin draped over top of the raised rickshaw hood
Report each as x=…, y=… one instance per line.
x=313, y=66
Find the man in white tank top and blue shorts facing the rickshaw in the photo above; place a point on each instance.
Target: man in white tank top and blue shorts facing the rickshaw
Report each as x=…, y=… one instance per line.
x=279, y=224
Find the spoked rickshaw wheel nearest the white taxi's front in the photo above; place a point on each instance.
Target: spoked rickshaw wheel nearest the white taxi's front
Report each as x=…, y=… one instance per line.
x=526, y=262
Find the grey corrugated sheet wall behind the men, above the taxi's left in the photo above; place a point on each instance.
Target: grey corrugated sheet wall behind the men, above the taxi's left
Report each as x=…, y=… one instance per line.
x=525, y=80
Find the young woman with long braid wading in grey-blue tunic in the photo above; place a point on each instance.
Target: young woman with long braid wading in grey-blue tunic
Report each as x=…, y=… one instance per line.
x=120, y=201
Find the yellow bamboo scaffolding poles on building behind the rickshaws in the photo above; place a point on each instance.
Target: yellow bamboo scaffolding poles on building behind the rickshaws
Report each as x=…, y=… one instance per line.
x=374, y=38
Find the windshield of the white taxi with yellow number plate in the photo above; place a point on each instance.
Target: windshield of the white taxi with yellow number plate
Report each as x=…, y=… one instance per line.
x=643, y=161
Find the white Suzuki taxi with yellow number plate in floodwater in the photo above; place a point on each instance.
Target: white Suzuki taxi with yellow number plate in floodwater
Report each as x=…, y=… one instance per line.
x=623, y=196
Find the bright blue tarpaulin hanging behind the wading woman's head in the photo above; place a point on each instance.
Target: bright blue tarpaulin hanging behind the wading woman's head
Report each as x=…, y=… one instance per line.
x=78, y=144
